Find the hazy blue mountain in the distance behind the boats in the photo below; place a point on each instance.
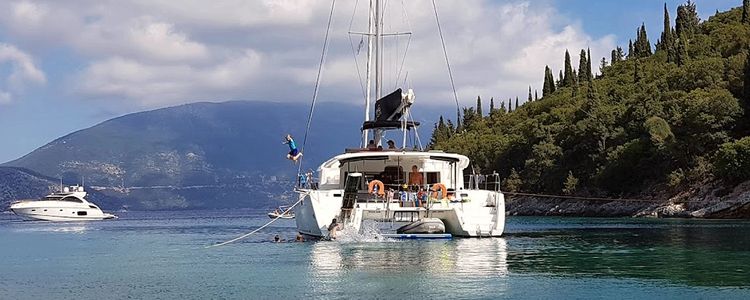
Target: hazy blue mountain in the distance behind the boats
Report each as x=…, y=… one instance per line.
x=201, y=155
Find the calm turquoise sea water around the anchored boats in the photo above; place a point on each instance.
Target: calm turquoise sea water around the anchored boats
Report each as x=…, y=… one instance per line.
x=160, y=255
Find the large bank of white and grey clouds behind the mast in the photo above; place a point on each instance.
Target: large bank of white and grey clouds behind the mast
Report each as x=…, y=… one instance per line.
x=161, y=52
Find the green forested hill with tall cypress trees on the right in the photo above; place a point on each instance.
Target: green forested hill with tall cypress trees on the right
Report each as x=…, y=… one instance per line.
x=663, y=117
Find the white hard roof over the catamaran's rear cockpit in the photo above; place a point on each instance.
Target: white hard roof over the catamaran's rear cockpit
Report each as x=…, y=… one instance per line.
x=392, y=154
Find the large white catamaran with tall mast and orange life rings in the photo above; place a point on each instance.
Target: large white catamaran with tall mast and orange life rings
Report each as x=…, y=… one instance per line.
x=397, y=185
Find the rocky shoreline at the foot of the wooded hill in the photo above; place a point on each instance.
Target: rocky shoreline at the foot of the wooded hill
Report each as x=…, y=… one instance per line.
x=708, y=200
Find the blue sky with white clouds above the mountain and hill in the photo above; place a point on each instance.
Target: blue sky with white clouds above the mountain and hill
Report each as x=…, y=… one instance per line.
x=68, y=65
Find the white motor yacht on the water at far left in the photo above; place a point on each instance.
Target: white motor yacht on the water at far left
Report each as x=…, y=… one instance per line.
x=68, y=205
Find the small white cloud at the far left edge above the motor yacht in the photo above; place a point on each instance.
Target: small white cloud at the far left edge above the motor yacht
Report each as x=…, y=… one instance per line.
x=23, y=70
